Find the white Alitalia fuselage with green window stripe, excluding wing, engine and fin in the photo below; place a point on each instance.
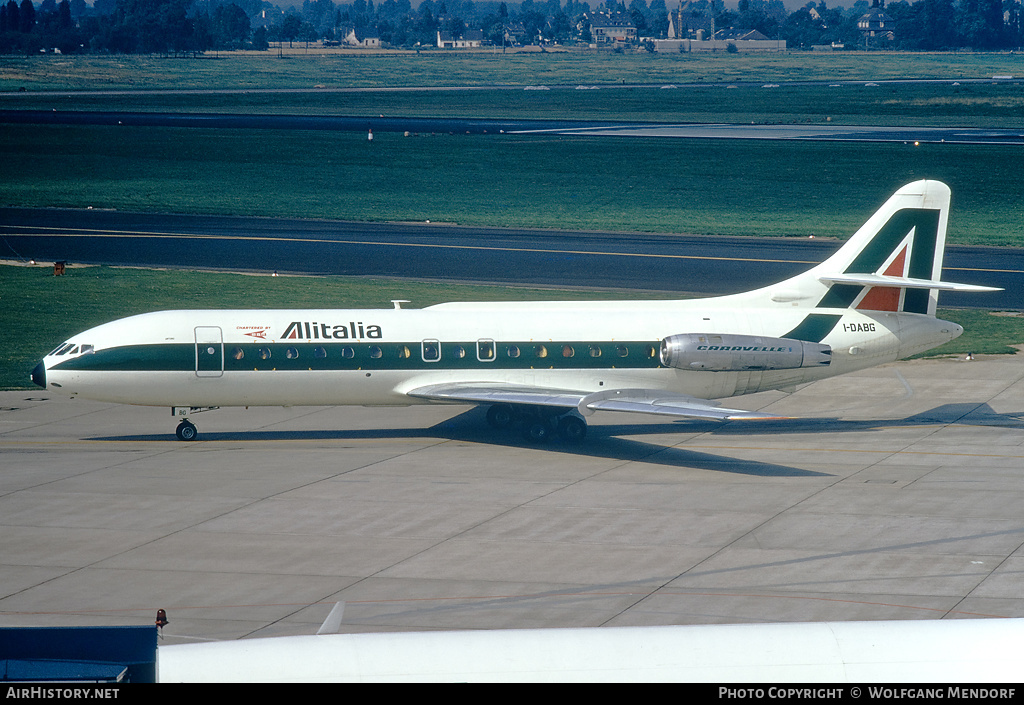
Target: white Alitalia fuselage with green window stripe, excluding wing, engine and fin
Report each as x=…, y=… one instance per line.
x=375, y=357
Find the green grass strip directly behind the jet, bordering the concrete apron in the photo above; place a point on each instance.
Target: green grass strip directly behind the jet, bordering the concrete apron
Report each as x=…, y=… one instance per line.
x=38, y=311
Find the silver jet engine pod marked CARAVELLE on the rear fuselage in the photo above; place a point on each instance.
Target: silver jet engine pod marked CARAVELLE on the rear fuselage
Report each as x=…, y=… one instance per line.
x=740, y=353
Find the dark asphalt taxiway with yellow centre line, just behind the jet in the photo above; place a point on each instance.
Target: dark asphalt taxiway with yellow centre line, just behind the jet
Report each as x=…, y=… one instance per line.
x=695, y=266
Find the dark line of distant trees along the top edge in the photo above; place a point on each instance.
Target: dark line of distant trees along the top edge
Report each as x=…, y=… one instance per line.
x=198, y=26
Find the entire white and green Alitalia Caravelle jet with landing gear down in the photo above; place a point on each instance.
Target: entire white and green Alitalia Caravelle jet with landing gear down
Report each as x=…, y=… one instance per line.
x=542, y=366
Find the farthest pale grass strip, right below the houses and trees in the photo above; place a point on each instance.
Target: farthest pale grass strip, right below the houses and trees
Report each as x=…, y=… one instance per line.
x=303, y=69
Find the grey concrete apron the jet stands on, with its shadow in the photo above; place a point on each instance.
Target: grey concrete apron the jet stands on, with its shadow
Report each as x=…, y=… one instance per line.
x=897, y=494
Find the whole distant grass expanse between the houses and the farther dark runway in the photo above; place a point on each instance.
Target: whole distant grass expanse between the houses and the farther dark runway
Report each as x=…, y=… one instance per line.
x=247, y=88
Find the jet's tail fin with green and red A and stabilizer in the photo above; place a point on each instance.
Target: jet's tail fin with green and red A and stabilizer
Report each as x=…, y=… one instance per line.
x=894, y=262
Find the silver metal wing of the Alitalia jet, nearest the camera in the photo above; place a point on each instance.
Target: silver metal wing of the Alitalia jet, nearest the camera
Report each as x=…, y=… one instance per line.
x=636, y=401
